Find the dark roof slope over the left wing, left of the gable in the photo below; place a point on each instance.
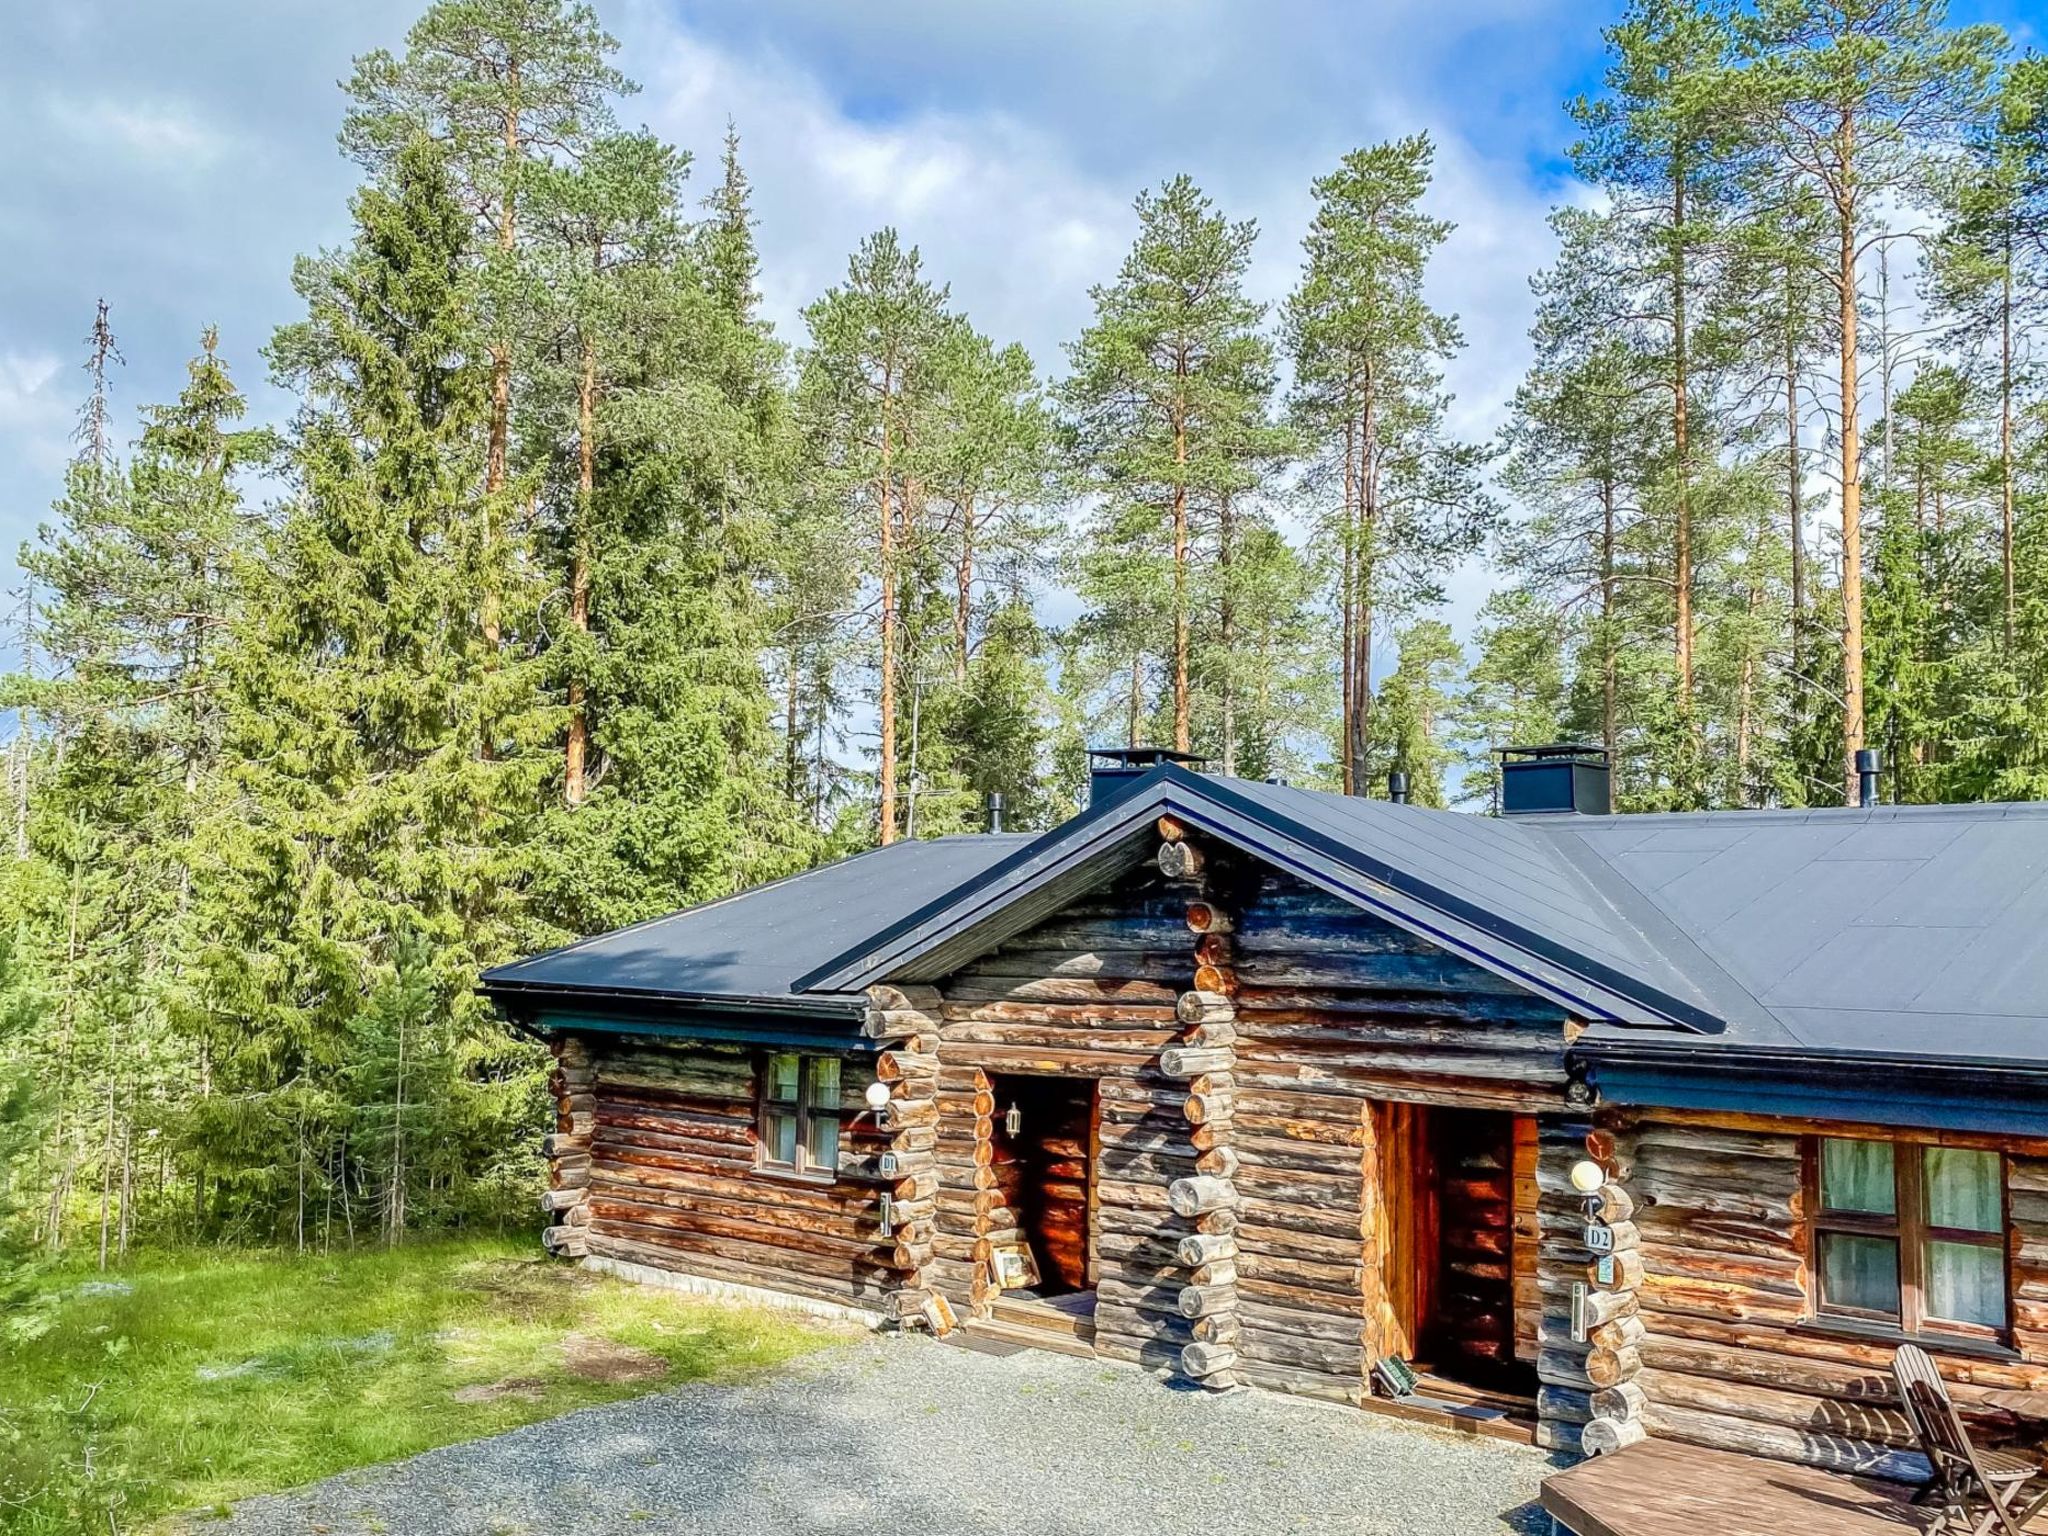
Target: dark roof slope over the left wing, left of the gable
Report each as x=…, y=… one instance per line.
x=751, y=947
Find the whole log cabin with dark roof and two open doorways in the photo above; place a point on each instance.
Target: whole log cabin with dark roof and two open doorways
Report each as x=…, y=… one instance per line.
x=1558, y=1125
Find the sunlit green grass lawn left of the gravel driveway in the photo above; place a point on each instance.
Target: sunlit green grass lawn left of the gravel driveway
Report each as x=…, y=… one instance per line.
x=196, y=1379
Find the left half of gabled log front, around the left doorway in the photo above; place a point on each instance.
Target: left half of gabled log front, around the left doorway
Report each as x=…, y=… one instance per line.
x=1105, y=990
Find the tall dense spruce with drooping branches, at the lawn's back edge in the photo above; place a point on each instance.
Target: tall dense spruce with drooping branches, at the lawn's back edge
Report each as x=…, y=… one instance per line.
x=366, y=826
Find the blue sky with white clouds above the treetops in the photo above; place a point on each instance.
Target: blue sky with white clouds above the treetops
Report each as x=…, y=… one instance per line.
x=175, y=159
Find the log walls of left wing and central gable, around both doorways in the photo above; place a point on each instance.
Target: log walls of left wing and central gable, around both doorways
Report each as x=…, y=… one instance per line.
x=1263, y=1058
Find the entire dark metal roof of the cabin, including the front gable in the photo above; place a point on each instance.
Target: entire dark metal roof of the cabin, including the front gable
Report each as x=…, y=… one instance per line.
x=1756, y=937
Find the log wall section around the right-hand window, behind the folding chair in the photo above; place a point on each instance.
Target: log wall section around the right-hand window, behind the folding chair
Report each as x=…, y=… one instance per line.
x=1725, y=1299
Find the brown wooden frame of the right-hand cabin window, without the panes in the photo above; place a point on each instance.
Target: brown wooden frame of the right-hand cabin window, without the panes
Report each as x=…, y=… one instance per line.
x=1906, y=1226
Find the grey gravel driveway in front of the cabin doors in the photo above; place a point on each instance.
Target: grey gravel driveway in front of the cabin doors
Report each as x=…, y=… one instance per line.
x=921, y=1439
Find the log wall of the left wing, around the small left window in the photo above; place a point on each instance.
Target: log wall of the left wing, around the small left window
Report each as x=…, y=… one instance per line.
x=671, y=1177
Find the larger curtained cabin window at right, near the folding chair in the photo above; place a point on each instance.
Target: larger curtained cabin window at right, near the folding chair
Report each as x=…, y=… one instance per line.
x=1910, y=1236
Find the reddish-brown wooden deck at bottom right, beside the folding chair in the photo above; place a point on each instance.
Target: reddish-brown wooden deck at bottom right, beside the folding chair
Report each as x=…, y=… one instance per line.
x=1662, y=1488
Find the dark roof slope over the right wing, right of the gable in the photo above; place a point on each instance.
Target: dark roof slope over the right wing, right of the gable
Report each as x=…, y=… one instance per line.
x=1891, y=931
